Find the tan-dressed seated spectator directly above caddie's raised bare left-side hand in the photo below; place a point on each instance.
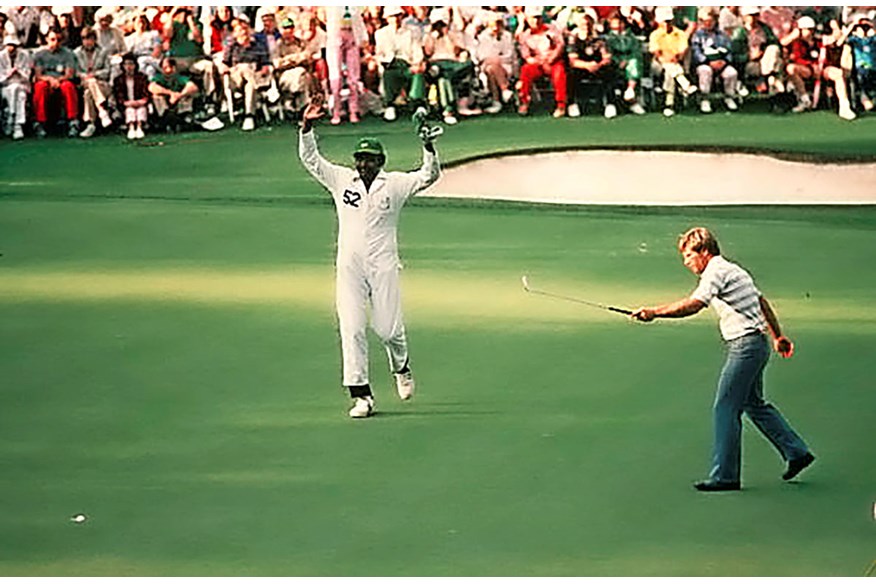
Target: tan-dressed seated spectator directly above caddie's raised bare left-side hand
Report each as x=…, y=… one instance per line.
x=293, y=65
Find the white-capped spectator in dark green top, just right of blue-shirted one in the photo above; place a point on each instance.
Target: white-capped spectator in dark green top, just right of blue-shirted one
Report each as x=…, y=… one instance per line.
x=757, y=51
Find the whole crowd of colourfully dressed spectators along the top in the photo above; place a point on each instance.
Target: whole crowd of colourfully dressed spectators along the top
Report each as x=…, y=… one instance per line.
x=83, y=70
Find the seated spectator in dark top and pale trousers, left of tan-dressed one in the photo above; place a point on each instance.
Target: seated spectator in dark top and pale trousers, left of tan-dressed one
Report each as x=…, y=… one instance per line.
x=248, y=66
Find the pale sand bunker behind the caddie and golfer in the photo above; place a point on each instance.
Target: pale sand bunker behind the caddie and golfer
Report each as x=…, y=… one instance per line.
x=658, y=178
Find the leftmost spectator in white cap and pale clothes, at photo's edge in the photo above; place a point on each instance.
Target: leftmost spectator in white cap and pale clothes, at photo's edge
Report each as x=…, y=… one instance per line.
x=16, y=67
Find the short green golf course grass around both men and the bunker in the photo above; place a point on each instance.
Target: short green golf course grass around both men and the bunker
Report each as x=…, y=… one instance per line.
x=169, y=366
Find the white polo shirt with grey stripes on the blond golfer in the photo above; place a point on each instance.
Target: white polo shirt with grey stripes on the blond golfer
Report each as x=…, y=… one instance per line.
x=732, y=293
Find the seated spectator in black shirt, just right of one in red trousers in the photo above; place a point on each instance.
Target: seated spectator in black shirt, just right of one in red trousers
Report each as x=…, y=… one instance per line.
x=590, y=61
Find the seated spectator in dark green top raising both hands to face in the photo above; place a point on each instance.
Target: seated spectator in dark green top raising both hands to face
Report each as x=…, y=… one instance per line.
x=184, y=40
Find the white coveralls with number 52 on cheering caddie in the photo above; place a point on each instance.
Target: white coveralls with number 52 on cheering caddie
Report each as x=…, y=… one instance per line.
x=367, y=261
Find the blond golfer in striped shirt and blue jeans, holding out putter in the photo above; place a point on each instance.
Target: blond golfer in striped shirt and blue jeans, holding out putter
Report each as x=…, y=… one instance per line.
x=745, y=319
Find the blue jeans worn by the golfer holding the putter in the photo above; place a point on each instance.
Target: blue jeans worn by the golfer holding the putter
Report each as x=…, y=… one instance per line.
x=740, y=389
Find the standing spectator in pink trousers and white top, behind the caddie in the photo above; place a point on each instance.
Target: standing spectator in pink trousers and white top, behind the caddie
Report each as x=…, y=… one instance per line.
x=345, y=36
